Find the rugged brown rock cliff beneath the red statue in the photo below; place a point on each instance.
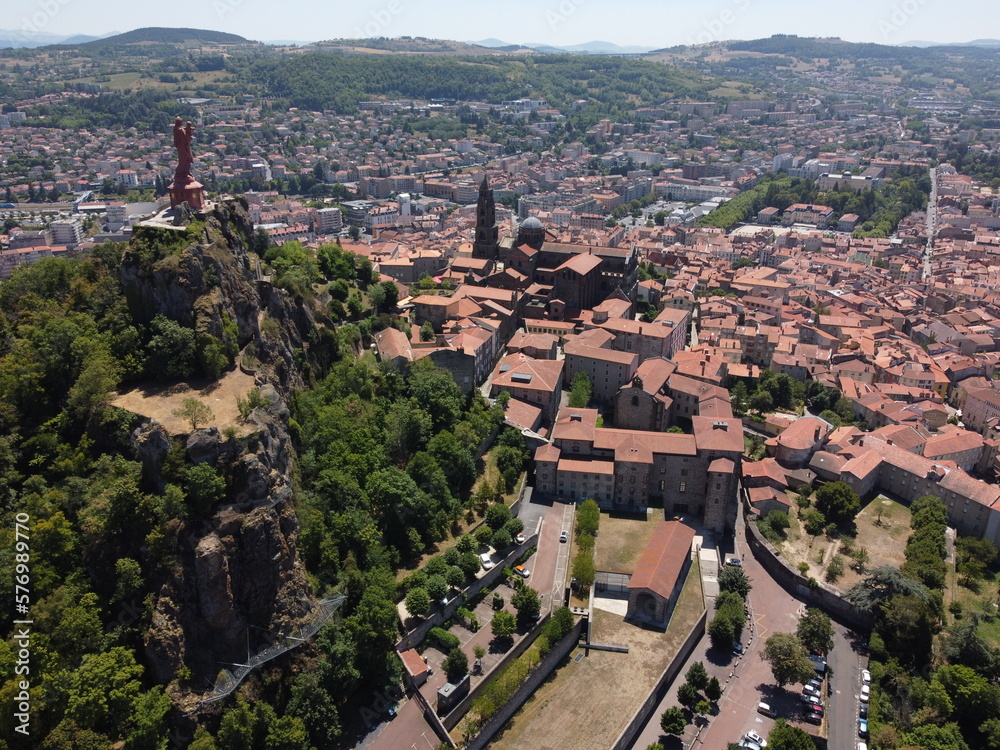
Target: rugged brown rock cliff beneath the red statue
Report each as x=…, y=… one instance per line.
x=237, y=574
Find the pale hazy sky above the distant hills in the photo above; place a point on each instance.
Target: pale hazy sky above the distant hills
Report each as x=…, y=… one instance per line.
x=655, y=23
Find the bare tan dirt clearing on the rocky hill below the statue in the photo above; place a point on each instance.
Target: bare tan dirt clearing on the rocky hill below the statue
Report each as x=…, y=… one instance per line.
x=158, y=401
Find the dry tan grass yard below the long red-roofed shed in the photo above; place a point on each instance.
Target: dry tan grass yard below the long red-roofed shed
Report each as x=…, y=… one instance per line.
x=587, y=703
